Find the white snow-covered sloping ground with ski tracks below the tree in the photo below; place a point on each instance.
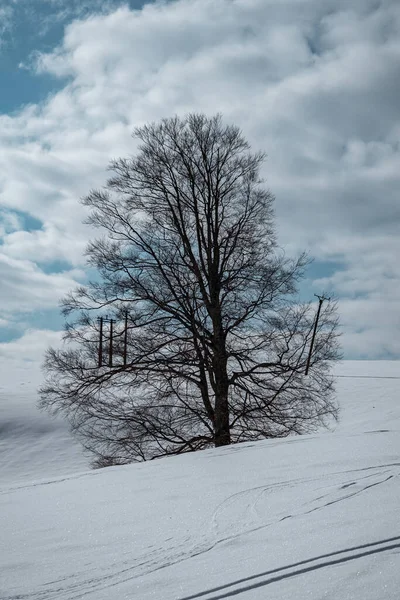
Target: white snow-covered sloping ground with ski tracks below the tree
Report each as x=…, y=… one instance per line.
x=316, y=516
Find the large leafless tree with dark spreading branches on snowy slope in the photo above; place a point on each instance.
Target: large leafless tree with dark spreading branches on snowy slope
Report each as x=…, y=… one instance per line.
x=217, y=339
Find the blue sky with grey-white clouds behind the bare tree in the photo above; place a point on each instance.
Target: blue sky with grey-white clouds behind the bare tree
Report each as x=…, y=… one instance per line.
x=315, y=84
